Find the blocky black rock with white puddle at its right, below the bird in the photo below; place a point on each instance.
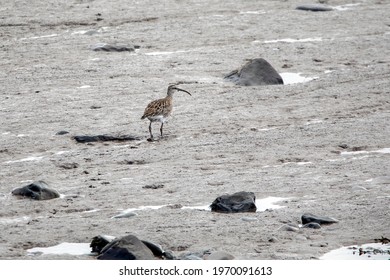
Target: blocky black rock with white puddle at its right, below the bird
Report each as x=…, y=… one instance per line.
x=237, y=202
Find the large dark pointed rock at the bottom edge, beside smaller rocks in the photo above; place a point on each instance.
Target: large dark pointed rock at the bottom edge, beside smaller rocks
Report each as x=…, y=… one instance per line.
x=128, y=247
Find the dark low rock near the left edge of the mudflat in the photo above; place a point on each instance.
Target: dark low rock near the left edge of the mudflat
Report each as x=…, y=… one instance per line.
x=38, y=190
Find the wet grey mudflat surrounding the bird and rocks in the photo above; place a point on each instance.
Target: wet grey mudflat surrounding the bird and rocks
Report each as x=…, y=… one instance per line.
x=322, y=145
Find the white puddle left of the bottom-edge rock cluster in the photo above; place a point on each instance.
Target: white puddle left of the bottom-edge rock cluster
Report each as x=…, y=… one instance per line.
x=75, y=249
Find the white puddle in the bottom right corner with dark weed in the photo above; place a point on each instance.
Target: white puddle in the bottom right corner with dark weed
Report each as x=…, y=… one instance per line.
x=370, y=251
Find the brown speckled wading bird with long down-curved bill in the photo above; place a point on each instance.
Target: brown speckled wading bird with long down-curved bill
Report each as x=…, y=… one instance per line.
x=159, y=110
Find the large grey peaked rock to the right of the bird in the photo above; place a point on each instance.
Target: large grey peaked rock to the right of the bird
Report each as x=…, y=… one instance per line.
x=256, y=72
